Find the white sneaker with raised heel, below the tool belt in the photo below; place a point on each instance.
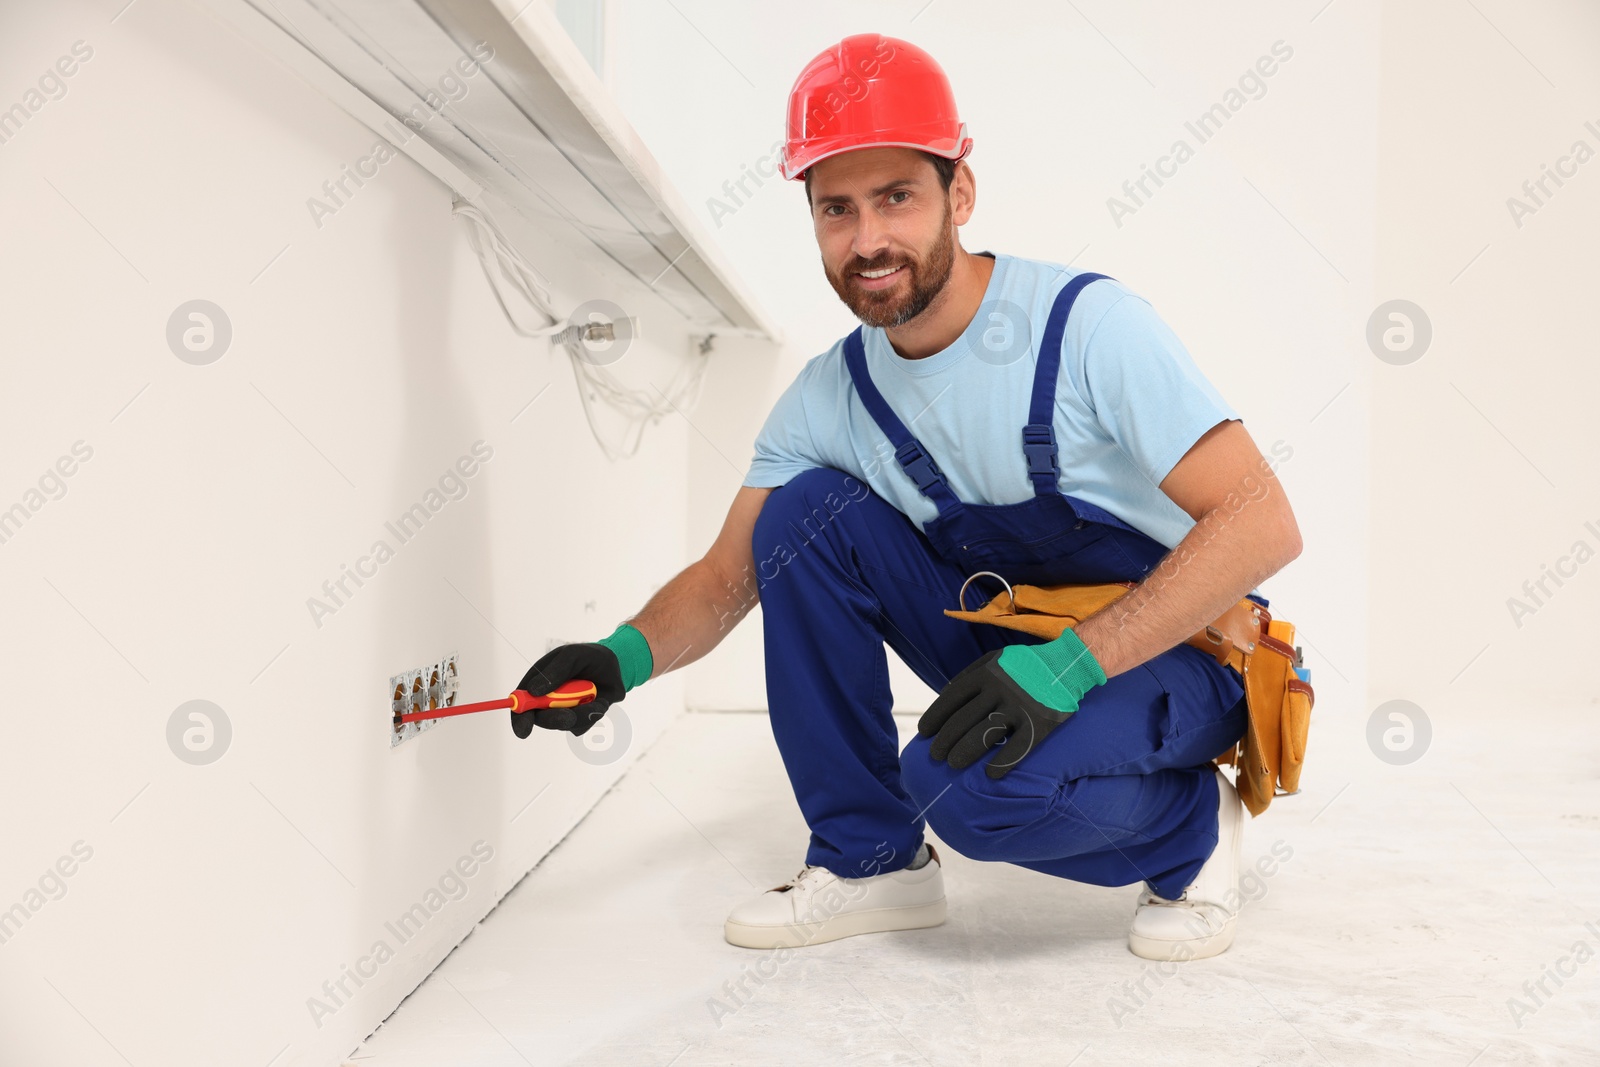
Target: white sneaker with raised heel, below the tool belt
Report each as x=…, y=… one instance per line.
x=1201, y=922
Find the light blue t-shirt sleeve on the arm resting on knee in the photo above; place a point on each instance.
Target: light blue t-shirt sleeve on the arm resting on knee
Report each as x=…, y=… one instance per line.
x=1146, y=391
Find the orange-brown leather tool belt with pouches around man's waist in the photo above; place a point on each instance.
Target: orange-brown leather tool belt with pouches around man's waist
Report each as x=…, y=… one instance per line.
x=1246, y=637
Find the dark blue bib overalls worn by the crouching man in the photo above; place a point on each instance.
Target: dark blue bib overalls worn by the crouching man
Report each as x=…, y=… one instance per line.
x=1118, y=794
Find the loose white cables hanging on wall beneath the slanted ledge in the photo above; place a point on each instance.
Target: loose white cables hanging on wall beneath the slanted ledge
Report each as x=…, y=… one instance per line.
x=505, y=266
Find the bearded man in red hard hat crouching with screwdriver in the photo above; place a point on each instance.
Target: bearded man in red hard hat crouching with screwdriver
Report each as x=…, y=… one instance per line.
x=994, y=415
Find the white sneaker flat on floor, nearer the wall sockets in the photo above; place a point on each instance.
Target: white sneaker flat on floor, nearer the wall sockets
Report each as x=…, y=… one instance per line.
x=818, y=906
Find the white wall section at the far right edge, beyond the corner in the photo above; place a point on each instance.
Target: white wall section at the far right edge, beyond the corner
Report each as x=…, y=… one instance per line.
x=1484, y=465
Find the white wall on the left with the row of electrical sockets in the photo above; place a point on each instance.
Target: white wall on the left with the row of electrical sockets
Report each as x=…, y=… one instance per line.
x=364, y=362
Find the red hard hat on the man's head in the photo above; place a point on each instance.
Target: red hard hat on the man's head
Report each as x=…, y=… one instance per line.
x=871, y=90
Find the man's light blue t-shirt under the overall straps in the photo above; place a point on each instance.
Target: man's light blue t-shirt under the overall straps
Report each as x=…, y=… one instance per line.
x=1130, y=402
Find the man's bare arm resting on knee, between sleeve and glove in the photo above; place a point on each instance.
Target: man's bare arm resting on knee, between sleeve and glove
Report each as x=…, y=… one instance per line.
x=1244, y=533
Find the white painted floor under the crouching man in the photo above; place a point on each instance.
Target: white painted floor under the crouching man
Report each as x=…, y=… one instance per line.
x=1415, y=905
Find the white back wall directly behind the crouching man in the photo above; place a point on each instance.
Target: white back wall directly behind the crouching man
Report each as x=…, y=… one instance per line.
x=1062, y=118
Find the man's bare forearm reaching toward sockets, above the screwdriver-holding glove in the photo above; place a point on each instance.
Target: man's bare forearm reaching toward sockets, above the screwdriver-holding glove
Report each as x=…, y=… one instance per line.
x=690, y=615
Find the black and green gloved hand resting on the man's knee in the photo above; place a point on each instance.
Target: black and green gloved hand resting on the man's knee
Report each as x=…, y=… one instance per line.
x=1015, y=698
